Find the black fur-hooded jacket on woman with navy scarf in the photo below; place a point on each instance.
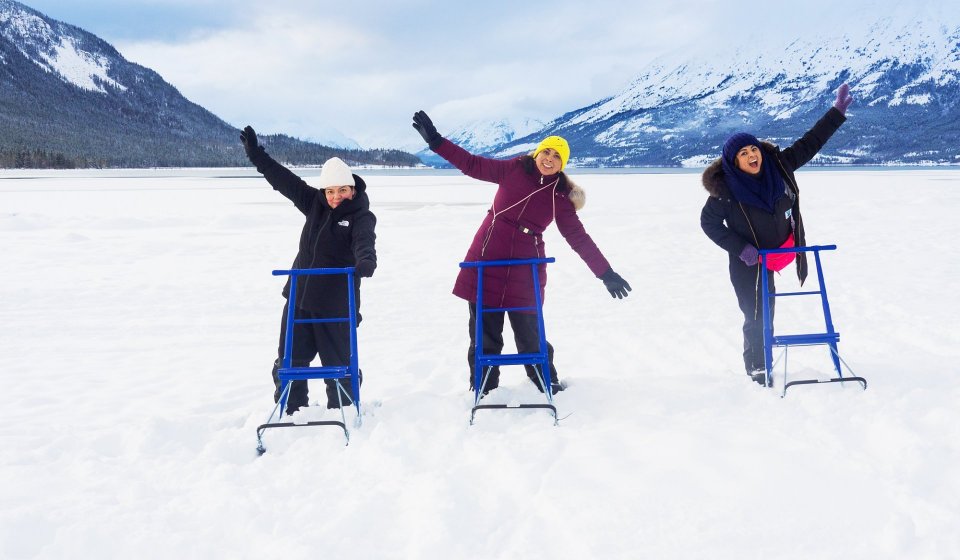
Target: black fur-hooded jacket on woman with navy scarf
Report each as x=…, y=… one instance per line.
x=732, y=225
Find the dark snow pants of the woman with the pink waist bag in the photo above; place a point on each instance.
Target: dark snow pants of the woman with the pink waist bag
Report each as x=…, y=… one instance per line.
x=746, y=283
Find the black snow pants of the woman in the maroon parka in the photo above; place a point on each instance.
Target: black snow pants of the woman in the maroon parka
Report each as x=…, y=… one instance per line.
x=525, y=334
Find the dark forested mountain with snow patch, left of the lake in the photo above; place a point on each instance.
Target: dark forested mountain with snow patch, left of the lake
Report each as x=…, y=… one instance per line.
x=69, y=99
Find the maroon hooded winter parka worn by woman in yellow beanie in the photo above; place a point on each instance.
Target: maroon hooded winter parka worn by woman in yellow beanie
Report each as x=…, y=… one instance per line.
x=526, y=203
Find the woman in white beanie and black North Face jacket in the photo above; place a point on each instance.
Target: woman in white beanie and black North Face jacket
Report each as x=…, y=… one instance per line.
x=338, y=232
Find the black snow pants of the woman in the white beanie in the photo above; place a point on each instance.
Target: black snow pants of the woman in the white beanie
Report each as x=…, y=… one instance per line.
x=331, y=341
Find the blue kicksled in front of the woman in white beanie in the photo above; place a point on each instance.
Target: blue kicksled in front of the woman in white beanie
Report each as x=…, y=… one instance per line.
x=288, y=373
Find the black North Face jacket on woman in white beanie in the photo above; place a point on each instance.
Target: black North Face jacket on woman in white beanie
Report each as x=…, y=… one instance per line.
x=331, y=238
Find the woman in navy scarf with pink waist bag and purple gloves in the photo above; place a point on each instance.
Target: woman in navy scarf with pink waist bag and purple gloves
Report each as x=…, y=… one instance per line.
x=754, y=204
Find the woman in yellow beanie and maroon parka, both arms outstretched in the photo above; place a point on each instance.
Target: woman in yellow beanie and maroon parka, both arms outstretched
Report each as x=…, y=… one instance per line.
x=533, y=192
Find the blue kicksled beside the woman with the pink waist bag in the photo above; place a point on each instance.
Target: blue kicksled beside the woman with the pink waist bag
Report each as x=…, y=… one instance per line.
x=828, y=338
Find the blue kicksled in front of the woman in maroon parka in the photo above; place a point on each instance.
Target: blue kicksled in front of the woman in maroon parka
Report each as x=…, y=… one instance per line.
x=484, y=363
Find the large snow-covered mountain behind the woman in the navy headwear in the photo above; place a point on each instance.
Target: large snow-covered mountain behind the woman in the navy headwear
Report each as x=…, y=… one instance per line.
x=904, y=74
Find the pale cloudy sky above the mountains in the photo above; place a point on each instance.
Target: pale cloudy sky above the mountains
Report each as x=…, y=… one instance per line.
x=308, y=67
